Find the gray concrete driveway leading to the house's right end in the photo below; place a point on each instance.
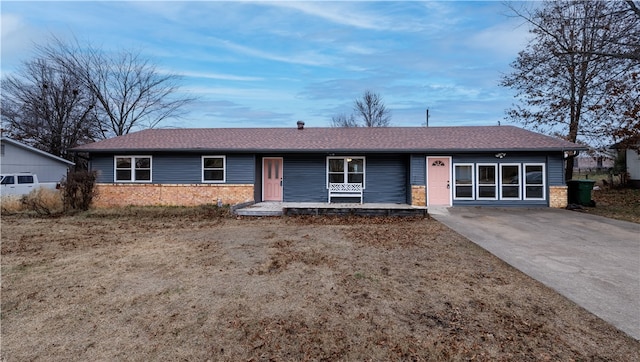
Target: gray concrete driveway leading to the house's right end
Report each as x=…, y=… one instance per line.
x=592, y=260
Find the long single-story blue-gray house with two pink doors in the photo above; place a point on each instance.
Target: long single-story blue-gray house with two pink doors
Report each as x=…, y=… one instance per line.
x=497, y=165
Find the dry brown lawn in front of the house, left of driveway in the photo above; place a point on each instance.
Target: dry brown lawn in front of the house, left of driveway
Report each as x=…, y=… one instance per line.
x=170, y=284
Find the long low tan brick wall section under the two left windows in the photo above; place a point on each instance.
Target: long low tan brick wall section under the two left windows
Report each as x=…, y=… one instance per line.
x=114, y=195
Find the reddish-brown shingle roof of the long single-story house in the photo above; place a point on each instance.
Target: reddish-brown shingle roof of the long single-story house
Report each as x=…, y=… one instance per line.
x=389, y=139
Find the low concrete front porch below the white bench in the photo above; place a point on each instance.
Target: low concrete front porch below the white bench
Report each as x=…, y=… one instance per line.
x=318, y=208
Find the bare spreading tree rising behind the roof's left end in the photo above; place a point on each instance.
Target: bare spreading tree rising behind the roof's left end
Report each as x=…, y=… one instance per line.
x=131, y=92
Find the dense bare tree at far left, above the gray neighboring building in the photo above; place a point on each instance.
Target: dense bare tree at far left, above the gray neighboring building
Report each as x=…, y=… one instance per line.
x=48, y=108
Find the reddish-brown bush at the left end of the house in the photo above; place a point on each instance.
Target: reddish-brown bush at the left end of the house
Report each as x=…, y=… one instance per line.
x=79, y=190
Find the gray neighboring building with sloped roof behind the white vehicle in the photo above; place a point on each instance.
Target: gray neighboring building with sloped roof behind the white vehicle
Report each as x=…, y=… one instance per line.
x=16, y=157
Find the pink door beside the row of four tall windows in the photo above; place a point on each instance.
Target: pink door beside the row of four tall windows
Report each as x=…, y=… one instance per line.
x=439, y=181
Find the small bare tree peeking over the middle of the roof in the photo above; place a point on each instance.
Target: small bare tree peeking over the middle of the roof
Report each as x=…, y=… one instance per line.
x=369, y=111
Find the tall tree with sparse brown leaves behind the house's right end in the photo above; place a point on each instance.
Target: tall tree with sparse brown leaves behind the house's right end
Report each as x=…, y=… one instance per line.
x=563, y=82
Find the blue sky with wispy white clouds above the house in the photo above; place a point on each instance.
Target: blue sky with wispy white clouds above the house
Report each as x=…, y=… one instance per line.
x=269, y=64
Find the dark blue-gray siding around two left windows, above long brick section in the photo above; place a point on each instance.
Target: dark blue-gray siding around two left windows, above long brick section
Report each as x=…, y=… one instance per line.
x=181, y=169
